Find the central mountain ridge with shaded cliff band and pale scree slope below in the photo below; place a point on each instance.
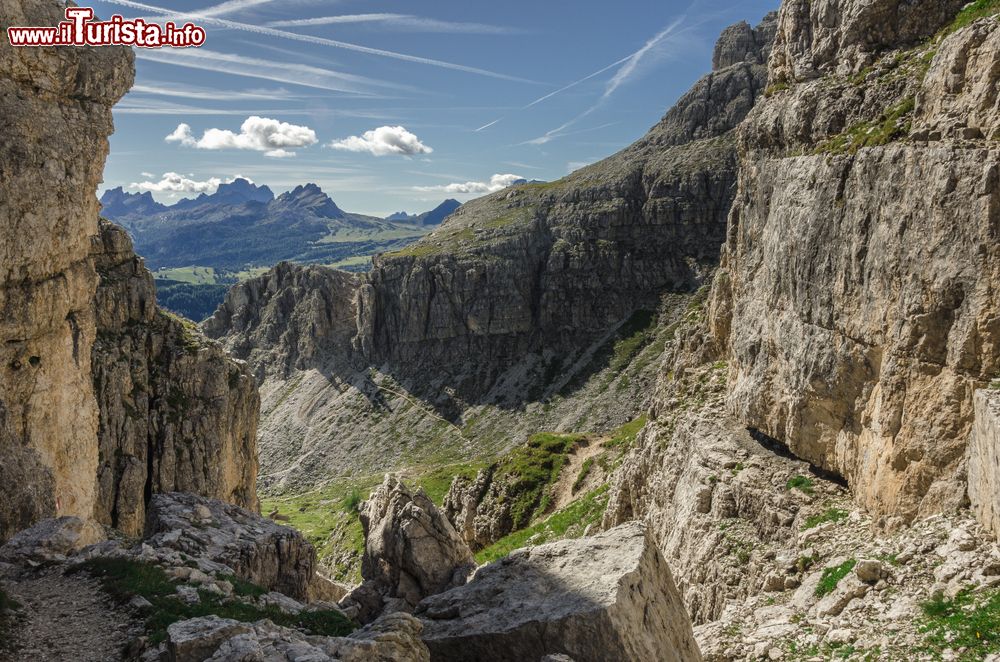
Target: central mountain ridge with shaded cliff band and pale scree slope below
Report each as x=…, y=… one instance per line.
x=511, y=317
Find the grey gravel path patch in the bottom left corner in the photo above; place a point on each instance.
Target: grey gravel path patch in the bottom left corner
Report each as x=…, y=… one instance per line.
x=67, y=618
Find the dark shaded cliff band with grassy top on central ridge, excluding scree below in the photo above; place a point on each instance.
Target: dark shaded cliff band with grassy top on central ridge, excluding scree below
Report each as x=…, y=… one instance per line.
x=545, y=265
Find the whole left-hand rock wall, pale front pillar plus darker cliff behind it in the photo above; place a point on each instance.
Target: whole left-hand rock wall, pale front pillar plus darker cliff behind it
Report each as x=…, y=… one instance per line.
x=104, y=400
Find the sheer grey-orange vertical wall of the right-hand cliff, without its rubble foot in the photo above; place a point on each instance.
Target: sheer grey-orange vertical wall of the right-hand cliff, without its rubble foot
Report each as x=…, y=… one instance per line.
x=857, y=300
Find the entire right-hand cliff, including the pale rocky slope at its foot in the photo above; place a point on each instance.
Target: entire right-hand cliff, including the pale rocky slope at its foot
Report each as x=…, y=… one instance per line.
x=855, y=311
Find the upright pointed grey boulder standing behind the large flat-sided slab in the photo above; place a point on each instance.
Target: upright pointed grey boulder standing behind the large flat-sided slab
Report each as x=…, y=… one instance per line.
x=411, y=551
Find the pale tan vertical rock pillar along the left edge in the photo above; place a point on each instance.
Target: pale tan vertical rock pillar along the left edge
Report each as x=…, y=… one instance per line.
x=57, y=109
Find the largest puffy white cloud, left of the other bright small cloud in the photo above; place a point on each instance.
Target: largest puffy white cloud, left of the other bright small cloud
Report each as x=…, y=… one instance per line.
x=260, y=134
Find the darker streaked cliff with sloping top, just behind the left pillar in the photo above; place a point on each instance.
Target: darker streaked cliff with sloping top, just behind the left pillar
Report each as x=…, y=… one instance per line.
x=176, y=414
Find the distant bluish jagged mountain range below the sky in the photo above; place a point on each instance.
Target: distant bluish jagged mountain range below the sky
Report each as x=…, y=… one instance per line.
x=242, y=226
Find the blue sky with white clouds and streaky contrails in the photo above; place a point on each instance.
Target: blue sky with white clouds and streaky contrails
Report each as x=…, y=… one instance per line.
x=392, y=105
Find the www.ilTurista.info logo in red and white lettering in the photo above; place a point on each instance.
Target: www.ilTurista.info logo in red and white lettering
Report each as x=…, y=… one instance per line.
x=79, y=29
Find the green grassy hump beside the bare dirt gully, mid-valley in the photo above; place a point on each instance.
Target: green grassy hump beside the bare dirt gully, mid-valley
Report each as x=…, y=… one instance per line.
x=531, y=469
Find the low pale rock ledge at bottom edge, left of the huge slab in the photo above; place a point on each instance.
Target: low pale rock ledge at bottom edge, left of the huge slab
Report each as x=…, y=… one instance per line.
x=393, y=638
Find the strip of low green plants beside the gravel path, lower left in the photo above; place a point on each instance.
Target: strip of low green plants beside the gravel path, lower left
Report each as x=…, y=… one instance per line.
x=124, y=579
